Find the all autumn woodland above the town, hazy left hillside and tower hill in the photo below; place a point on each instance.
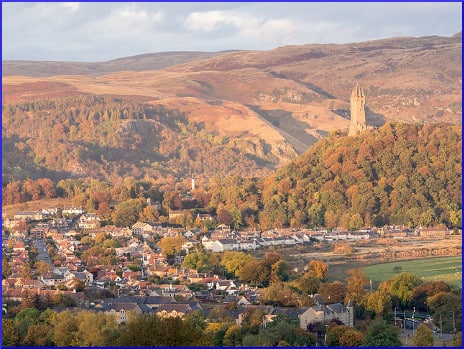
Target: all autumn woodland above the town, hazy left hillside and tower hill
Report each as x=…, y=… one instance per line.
x=109, y=155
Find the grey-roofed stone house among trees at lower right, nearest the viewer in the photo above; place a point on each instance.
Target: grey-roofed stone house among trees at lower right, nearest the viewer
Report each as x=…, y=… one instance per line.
x=327, y=312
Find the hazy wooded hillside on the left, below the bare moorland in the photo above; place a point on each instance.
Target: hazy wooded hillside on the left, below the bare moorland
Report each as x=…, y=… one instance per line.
x=108, y=137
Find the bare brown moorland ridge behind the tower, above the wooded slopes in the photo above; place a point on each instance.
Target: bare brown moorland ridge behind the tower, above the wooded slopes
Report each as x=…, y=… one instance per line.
x=275, y=104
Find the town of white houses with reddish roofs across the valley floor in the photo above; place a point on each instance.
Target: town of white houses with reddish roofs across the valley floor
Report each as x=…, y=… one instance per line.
x=137, y=271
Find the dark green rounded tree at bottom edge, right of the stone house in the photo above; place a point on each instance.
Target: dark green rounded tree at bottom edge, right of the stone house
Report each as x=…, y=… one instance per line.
x=380, y=334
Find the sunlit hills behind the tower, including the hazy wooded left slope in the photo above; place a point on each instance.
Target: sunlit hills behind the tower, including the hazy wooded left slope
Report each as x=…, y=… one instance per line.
x=264, y=107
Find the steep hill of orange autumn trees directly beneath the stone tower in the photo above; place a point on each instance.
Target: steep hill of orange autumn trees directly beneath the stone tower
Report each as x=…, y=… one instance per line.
x=399, y=173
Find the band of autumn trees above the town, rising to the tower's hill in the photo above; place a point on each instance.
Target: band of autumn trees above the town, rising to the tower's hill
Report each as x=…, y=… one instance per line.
x=398, y=174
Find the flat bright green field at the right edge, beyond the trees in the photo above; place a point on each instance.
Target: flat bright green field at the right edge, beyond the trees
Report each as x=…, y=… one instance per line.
x=447, y=269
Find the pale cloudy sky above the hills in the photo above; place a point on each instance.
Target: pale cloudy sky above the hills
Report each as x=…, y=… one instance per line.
x=91, y=32
